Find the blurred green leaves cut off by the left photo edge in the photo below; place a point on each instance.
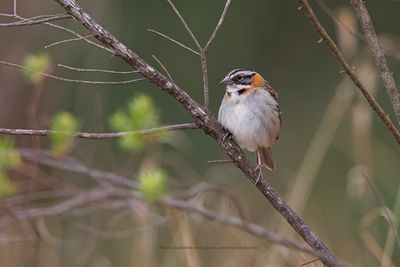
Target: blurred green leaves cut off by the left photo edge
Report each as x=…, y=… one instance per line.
x=9, y=158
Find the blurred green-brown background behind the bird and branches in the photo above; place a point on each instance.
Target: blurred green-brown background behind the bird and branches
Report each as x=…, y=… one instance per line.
x=337, y=164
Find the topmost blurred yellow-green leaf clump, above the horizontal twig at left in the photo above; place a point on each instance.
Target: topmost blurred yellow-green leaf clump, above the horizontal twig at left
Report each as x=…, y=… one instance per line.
x=34, y=65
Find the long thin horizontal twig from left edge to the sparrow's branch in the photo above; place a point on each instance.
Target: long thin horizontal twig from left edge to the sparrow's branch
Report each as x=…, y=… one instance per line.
x=85, y=135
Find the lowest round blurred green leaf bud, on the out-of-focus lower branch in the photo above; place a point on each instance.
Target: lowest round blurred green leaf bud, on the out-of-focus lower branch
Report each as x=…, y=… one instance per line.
x=153, y=185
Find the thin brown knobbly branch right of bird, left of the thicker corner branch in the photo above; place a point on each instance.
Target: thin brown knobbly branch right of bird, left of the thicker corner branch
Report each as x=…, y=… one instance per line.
x=348, y=70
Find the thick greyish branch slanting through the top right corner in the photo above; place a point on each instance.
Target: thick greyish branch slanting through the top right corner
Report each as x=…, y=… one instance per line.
x=380, y=61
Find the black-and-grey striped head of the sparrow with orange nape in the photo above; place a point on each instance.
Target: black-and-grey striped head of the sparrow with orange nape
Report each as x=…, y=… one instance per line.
x=242, y=79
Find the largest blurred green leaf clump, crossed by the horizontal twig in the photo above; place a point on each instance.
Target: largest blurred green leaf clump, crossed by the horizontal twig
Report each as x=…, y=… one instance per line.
x=141, y=113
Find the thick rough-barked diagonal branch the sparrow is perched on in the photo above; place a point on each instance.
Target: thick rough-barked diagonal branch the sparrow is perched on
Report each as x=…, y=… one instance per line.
x=205, y=121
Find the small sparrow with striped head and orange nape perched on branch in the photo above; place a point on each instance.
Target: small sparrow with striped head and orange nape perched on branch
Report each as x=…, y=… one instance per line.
x=250, y=111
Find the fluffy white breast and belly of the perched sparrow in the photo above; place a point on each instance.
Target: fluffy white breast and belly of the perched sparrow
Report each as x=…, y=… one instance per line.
x=252, y=118
